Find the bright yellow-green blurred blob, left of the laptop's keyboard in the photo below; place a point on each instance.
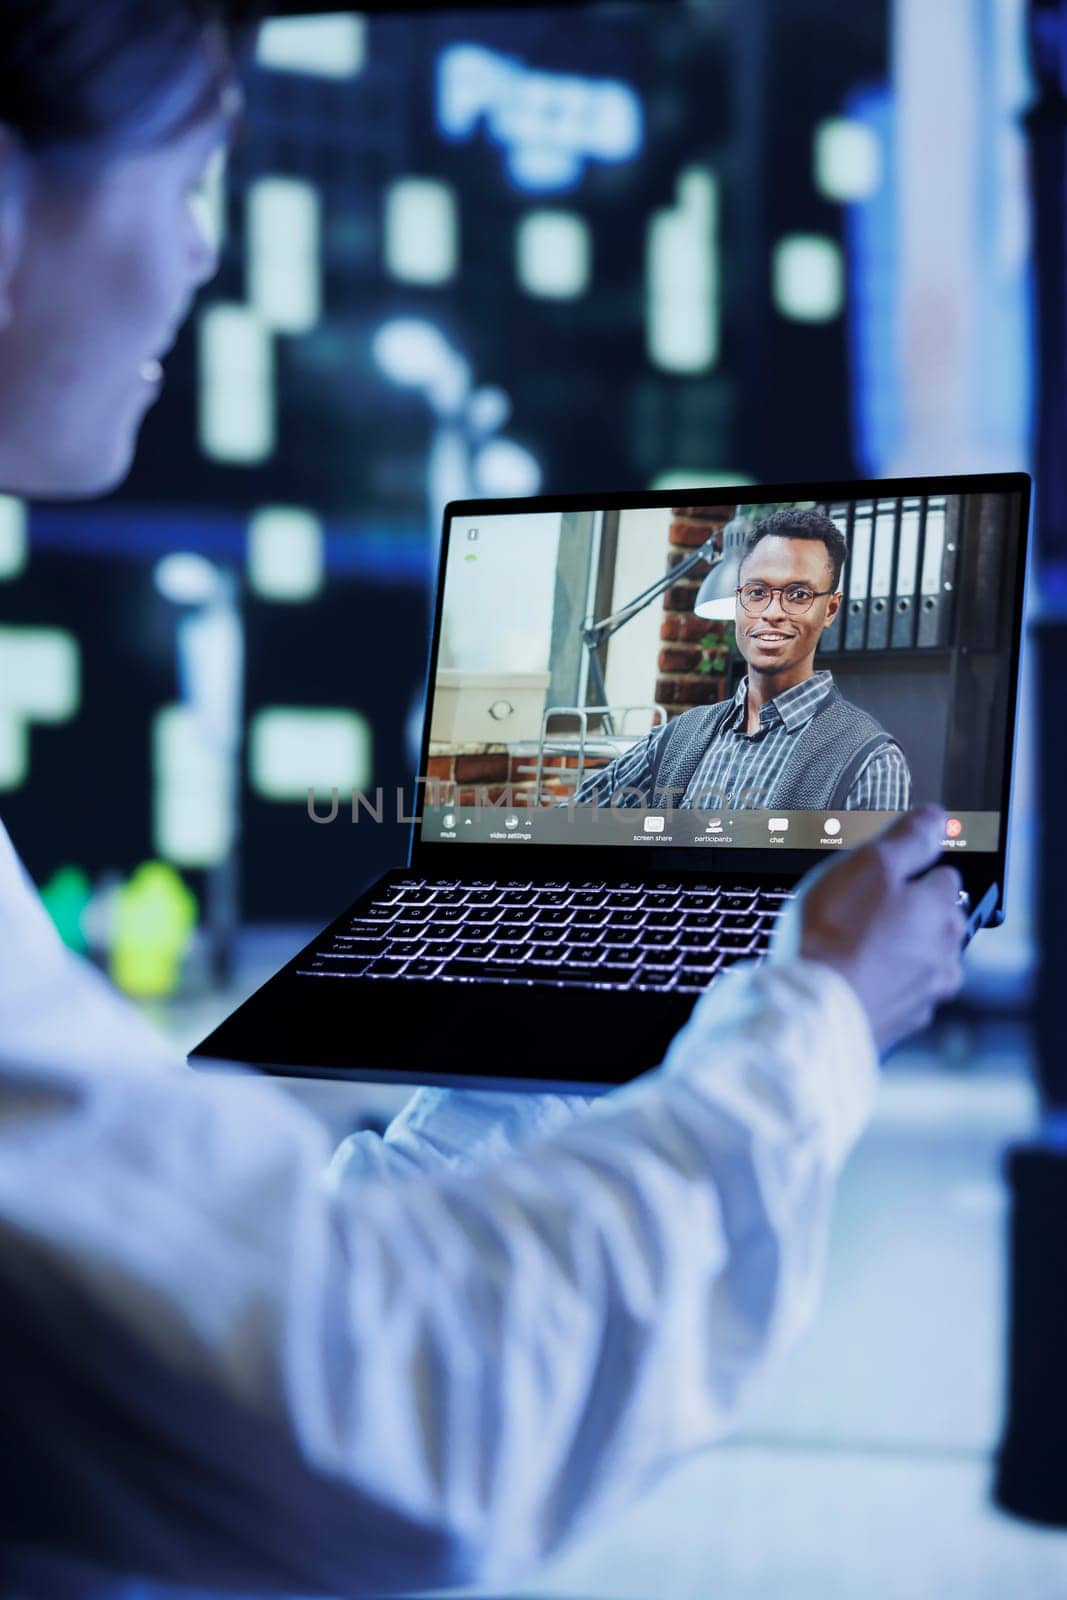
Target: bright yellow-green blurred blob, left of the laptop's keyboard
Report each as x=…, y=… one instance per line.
x=156, y=916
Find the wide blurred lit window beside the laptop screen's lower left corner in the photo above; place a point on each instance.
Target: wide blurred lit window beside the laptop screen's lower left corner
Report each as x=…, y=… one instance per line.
x=294, y=750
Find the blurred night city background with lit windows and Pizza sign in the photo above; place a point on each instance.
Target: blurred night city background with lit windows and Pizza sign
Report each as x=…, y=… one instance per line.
x=585, y=249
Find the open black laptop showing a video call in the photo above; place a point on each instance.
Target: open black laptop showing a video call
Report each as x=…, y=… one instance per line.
x=647, y=718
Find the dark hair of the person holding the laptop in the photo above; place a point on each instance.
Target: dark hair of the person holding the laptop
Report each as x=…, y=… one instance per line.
x=114, y=74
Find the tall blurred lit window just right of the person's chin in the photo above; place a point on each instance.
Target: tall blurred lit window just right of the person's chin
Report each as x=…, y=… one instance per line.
x=238, y=398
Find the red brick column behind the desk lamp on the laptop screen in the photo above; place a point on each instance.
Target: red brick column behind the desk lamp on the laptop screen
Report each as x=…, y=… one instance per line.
x=681, y=682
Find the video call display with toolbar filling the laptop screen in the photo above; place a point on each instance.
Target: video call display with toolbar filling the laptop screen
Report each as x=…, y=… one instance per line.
x=759, y=676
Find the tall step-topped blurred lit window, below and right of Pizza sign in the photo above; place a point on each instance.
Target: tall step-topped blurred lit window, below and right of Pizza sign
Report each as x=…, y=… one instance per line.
x=682, y=279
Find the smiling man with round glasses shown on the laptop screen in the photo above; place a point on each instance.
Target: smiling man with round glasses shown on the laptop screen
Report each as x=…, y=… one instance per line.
x=788, y=740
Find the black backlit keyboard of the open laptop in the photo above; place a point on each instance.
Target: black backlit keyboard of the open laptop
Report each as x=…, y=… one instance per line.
x=577, y=935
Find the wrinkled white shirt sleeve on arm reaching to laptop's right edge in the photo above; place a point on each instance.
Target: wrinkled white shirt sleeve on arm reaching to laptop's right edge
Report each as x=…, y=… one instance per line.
x=274, y=1380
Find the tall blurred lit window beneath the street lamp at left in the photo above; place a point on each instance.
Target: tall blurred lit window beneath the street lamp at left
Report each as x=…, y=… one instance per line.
x=193, y=815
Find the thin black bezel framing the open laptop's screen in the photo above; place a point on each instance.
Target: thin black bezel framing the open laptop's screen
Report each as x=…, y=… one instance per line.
x=452, y=858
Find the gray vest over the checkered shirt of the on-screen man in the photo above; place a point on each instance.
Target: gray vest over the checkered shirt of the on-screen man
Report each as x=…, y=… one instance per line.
x=820, y=770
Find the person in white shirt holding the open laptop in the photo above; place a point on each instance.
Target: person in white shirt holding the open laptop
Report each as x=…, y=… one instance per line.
x=228, y=1359
